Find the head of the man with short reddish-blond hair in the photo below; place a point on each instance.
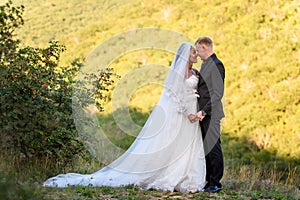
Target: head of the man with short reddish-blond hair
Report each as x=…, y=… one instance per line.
x=204, y=47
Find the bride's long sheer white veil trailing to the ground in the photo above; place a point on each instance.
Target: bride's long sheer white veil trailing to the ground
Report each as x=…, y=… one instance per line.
x=161, y=142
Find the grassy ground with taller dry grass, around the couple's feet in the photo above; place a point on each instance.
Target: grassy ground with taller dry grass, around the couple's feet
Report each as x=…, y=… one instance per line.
x=24, y=181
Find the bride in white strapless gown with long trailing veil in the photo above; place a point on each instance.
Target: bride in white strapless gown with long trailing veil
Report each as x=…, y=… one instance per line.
x=168, y=154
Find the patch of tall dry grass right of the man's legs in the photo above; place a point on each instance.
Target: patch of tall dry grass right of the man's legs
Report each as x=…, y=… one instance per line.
x=269, y=183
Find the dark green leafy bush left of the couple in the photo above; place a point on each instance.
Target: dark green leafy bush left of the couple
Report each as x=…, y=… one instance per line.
x=36, y=96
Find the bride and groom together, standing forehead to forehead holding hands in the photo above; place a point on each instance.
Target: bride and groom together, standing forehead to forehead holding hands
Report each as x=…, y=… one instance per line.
x=179, y=147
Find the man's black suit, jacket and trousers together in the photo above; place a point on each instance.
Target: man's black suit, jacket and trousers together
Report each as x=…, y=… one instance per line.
x=211, y=90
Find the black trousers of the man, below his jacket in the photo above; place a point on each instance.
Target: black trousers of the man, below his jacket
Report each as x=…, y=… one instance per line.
x=210, y=128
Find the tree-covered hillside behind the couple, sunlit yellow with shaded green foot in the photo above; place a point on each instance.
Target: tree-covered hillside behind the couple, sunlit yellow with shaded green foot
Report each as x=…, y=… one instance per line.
x=258, y=42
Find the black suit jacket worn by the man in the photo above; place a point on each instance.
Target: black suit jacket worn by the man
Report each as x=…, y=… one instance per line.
x=211, y=87
